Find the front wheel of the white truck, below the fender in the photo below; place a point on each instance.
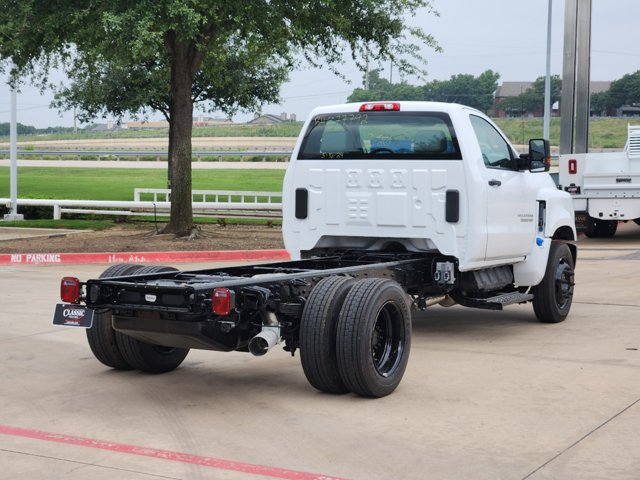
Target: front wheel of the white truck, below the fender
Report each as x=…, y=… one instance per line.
x=553, y=296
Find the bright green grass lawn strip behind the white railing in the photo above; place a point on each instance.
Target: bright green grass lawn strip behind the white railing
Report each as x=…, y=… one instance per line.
x=118, y=184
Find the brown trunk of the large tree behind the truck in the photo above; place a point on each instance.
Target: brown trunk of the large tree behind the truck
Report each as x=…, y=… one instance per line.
x=180, y=127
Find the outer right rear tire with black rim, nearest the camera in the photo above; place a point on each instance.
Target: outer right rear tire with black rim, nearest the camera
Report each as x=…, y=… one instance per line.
x=374, y=337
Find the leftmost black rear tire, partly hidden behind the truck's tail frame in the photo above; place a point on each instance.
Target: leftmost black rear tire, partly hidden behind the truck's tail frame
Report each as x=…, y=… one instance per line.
x=101, y=336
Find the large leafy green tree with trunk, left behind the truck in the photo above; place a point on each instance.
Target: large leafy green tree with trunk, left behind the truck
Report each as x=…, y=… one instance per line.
x=124, y=56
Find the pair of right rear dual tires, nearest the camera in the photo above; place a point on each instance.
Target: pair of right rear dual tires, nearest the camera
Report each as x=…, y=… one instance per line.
x=356, y=336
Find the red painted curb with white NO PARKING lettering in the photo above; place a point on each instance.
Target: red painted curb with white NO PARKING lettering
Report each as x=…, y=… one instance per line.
x=141, y=257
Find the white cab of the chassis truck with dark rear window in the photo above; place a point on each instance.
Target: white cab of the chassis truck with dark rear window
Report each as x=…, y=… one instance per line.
x=421, y=176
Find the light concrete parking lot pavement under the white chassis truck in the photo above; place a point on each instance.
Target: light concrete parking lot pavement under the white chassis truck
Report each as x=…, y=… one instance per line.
x=487, y=395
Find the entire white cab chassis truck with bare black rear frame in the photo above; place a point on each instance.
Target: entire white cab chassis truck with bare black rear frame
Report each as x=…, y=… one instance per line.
x=389, y=207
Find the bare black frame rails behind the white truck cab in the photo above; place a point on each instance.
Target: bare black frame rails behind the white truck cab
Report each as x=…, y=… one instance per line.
x=286, y=283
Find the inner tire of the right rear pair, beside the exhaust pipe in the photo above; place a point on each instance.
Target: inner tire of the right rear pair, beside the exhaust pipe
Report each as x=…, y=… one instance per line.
x=318, y=333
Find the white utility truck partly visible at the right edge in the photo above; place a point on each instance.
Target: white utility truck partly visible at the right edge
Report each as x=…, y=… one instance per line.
x=605, y=187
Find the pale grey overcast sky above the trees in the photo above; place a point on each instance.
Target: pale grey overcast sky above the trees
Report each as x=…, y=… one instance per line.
x=506, y=36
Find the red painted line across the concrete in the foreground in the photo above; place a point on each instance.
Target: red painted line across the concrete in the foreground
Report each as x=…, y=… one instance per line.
x=212, y=462
